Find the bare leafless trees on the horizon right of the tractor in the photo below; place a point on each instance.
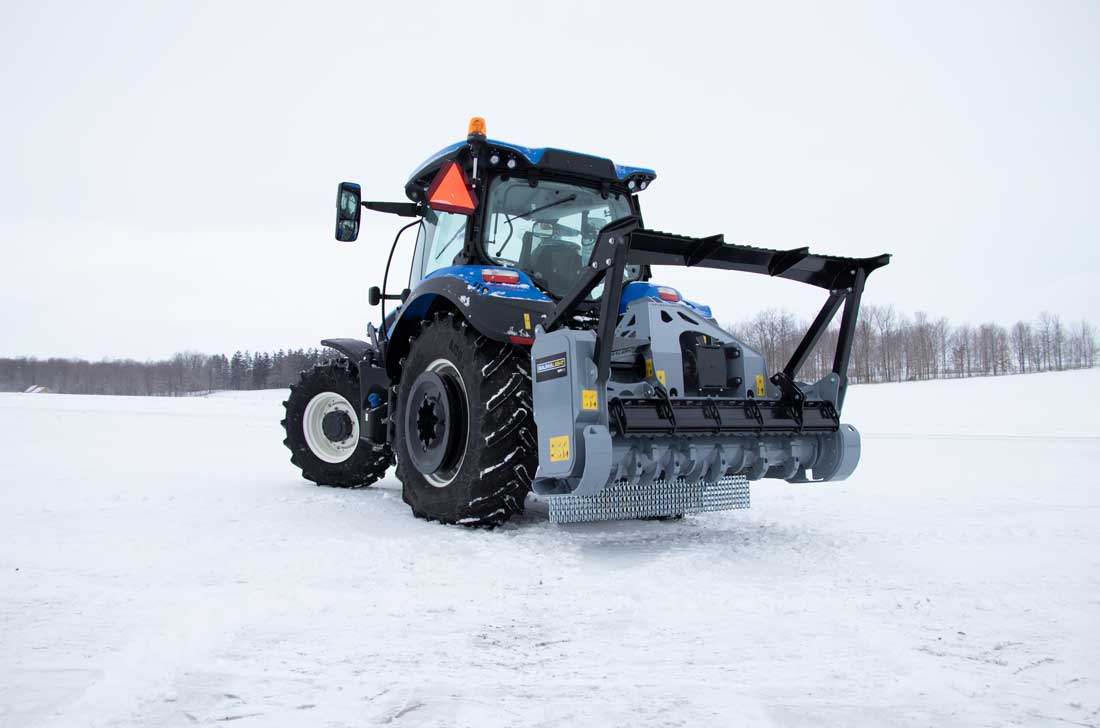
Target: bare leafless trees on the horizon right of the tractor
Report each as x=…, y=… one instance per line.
x=892, y=347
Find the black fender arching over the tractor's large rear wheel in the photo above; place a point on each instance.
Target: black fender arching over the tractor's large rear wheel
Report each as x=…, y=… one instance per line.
x=508, y=321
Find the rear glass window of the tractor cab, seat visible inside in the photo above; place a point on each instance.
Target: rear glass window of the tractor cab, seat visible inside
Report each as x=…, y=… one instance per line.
x=549, y=230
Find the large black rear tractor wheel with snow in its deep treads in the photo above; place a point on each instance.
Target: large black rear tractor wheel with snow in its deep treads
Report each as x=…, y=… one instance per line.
x=490, y=451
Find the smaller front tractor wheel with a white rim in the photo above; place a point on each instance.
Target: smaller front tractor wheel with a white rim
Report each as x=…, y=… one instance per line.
x=323, y=427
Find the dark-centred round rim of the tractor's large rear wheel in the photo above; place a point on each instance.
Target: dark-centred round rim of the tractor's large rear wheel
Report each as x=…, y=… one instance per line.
x=437, y=423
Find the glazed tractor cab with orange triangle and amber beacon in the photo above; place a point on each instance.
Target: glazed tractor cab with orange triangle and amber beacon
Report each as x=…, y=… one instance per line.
x=538, y=212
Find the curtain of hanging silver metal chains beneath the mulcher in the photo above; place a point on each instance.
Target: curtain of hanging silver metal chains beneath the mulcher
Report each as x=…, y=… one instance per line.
x=622, y=501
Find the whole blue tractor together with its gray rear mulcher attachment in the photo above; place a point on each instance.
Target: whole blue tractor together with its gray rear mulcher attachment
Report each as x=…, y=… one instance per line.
x=532, y=351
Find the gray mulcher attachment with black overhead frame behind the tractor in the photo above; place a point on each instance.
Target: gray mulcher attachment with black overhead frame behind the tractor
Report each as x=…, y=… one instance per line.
x=667, y=396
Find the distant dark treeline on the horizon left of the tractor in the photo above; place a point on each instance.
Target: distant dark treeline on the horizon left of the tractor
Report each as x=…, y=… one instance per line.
x=184, y=374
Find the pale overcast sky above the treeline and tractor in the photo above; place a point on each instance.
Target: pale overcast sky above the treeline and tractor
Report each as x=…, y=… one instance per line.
x=169, y=171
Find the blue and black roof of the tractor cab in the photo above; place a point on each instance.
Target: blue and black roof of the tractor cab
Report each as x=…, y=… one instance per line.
x=524, y=159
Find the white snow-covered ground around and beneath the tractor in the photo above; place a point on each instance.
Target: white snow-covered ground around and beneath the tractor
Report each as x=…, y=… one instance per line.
x=162, y=565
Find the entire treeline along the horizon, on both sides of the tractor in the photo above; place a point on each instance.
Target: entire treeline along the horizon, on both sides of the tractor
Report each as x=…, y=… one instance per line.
x=889, y=347
